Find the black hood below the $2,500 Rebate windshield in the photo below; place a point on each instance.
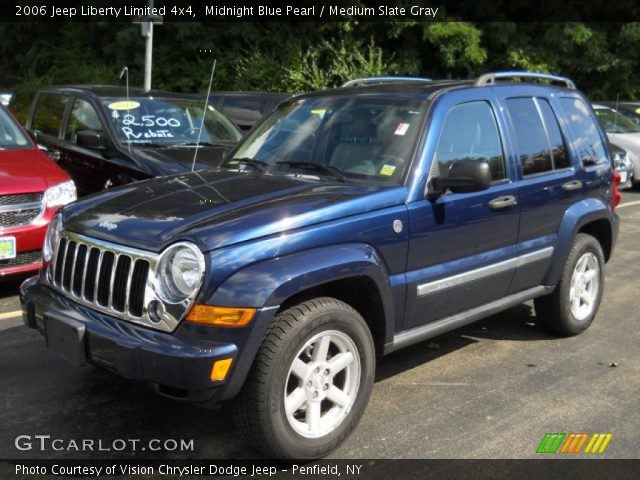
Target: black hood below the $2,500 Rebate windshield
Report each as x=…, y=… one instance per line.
x=171, y=160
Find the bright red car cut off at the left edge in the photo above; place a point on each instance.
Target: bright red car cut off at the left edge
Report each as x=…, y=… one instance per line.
x=32, y=188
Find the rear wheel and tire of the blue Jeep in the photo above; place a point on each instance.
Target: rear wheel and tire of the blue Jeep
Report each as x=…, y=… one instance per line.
x=573, y=305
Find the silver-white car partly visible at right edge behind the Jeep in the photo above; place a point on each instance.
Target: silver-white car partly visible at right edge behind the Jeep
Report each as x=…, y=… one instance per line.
x=623, y=133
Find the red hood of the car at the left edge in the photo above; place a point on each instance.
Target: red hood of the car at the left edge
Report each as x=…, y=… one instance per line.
x=28, y=170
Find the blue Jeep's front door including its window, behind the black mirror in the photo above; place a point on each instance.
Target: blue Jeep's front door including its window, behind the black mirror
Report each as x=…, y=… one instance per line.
x=462, y=247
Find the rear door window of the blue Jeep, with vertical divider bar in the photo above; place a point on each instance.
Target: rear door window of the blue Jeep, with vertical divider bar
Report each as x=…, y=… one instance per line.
x=541, y=147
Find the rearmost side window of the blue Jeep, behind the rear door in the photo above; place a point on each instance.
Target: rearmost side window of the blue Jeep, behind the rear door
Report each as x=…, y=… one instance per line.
x=587, y=140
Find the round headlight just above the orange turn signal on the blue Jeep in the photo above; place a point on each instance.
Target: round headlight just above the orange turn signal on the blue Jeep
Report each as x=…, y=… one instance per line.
x=180, y=271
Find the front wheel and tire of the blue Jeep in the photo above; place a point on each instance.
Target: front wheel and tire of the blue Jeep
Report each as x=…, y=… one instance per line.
x=296, y=365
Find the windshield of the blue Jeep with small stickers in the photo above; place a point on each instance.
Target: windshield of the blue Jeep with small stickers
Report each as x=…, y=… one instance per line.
x=364, y=138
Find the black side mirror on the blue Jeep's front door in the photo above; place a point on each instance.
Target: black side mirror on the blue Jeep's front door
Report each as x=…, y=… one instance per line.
x=465, y=175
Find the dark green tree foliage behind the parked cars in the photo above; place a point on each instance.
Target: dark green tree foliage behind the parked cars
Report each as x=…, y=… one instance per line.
x=603, y=58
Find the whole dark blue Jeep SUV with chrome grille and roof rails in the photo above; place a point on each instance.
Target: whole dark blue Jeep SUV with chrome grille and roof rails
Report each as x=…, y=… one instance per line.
x=348, y=224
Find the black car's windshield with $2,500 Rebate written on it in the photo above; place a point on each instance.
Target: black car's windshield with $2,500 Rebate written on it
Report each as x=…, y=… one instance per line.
x=165, y=121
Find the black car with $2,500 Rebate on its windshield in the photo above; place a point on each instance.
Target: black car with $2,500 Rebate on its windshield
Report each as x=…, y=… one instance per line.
x=104, y=137
